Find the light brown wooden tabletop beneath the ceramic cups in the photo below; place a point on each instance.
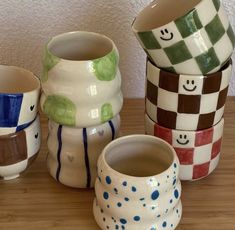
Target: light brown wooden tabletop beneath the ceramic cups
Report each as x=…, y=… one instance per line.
x=36, y=201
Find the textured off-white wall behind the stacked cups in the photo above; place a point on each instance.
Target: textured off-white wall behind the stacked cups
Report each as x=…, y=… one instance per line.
x=26, y=25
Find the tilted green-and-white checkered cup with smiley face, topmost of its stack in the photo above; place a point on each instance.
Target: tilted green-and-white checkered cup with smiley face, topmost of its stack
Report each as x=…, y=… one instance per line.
x=186, y=37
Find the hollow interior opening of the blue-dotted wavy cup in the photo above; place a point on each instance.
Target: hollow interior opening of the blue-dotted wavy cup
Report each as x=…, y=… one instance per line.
x=139, y=156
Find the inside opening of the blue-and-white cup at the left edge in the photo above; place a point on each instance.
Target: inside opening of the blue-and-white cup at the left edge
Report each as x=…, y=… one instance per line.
x=17, y=80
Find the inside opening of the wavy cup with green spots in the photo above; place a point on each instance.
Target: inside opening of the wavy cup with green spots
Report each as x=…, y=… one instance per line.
x=80, y=46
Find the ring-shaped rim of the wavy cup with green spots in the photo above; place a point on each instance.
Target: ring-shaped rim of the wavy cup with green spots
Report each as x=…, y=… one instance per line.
x=49, y=43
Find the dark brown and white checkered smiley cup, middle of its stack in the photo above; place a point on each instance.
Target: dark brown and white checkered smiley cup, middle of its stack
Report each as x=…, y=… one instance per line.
x=186, y=102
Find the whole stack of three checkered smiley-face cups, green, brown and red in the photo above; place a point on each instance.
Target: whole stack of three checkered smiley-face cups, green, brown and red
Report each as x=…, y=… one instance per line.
x=189, y=45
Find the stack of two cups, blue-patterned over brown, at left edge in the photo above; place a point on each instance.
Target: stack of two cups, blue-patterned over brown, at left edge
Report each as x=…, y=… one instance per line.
x=20, y=134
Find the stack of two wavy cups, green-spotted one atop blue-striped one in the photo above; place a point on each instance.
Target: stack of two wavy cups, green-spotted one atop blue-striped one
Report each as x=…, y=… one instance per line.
x=82, y=98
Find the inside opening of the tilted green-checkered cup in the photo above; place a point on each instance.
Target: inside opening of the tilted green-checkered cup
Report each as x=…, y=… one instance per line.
x=161, y=12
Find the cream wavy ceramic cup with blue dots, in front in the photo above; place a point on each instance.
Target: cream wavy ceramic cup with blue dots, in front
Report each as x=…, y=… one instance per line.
x=138, y=185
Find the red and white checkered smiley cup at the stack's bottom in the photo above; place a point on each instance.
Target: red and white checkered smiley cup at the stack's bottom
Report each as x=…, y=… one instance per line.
x=198, y=151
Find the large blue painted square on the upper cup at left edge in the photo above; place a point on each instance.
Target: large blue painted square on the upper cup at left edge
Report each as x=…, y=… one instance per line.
x=10, y=106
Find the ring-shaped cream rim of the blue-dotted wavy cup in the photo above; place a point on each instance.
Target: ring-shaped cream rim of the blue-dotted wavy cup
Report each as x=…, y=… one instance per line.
x=119, y=140
